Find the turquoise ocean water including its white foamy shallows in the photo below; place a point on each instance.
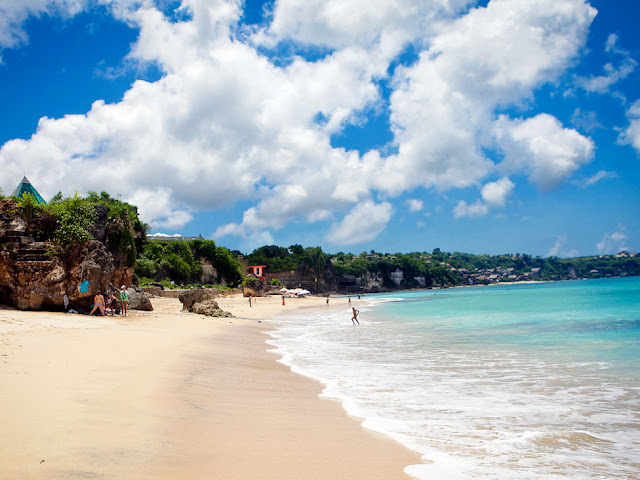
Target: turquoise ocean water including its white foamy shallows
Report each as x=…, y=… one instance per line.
x=529, y=381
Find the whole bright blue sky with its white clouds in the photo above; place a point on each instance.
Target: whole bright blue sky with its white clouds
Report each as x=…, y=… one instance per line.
x=496, y=126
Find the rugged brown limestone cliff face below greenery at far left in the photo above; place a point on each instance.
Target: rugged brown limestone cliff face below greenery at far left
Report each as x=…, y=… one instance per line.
x=32, y=279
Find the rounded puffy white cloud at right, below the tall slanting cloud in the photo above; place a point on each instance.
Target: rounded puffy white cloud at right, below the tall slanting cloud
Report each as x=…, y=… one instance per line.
x=541, y=148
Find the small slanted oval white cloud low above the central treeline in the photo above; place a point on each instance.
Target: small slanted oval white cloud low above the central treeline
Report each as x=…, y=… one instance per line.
x=362, y=224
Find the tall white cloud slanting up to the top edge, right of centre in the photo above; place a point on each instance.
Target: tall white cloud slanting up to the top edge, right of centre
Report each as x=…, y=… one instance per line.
x=442, y=107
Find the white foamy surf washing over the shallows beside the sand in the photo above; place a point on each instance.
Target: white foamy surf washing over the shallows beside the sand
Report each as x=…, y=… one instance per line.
x=473, y=405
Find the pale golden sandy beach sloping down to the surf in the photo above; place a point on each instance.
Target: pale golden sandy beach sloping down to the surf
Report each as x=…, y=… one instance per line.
x=169, y=395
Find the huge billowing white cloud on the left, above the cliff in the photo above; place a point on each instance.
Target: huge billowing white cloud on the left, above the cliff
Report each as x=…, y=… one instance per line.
x=209, y=134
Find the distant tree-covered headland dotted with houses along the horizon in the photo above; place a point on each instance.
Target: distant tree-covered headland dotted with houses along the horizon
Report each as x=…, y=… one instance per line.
x=375, y=270
